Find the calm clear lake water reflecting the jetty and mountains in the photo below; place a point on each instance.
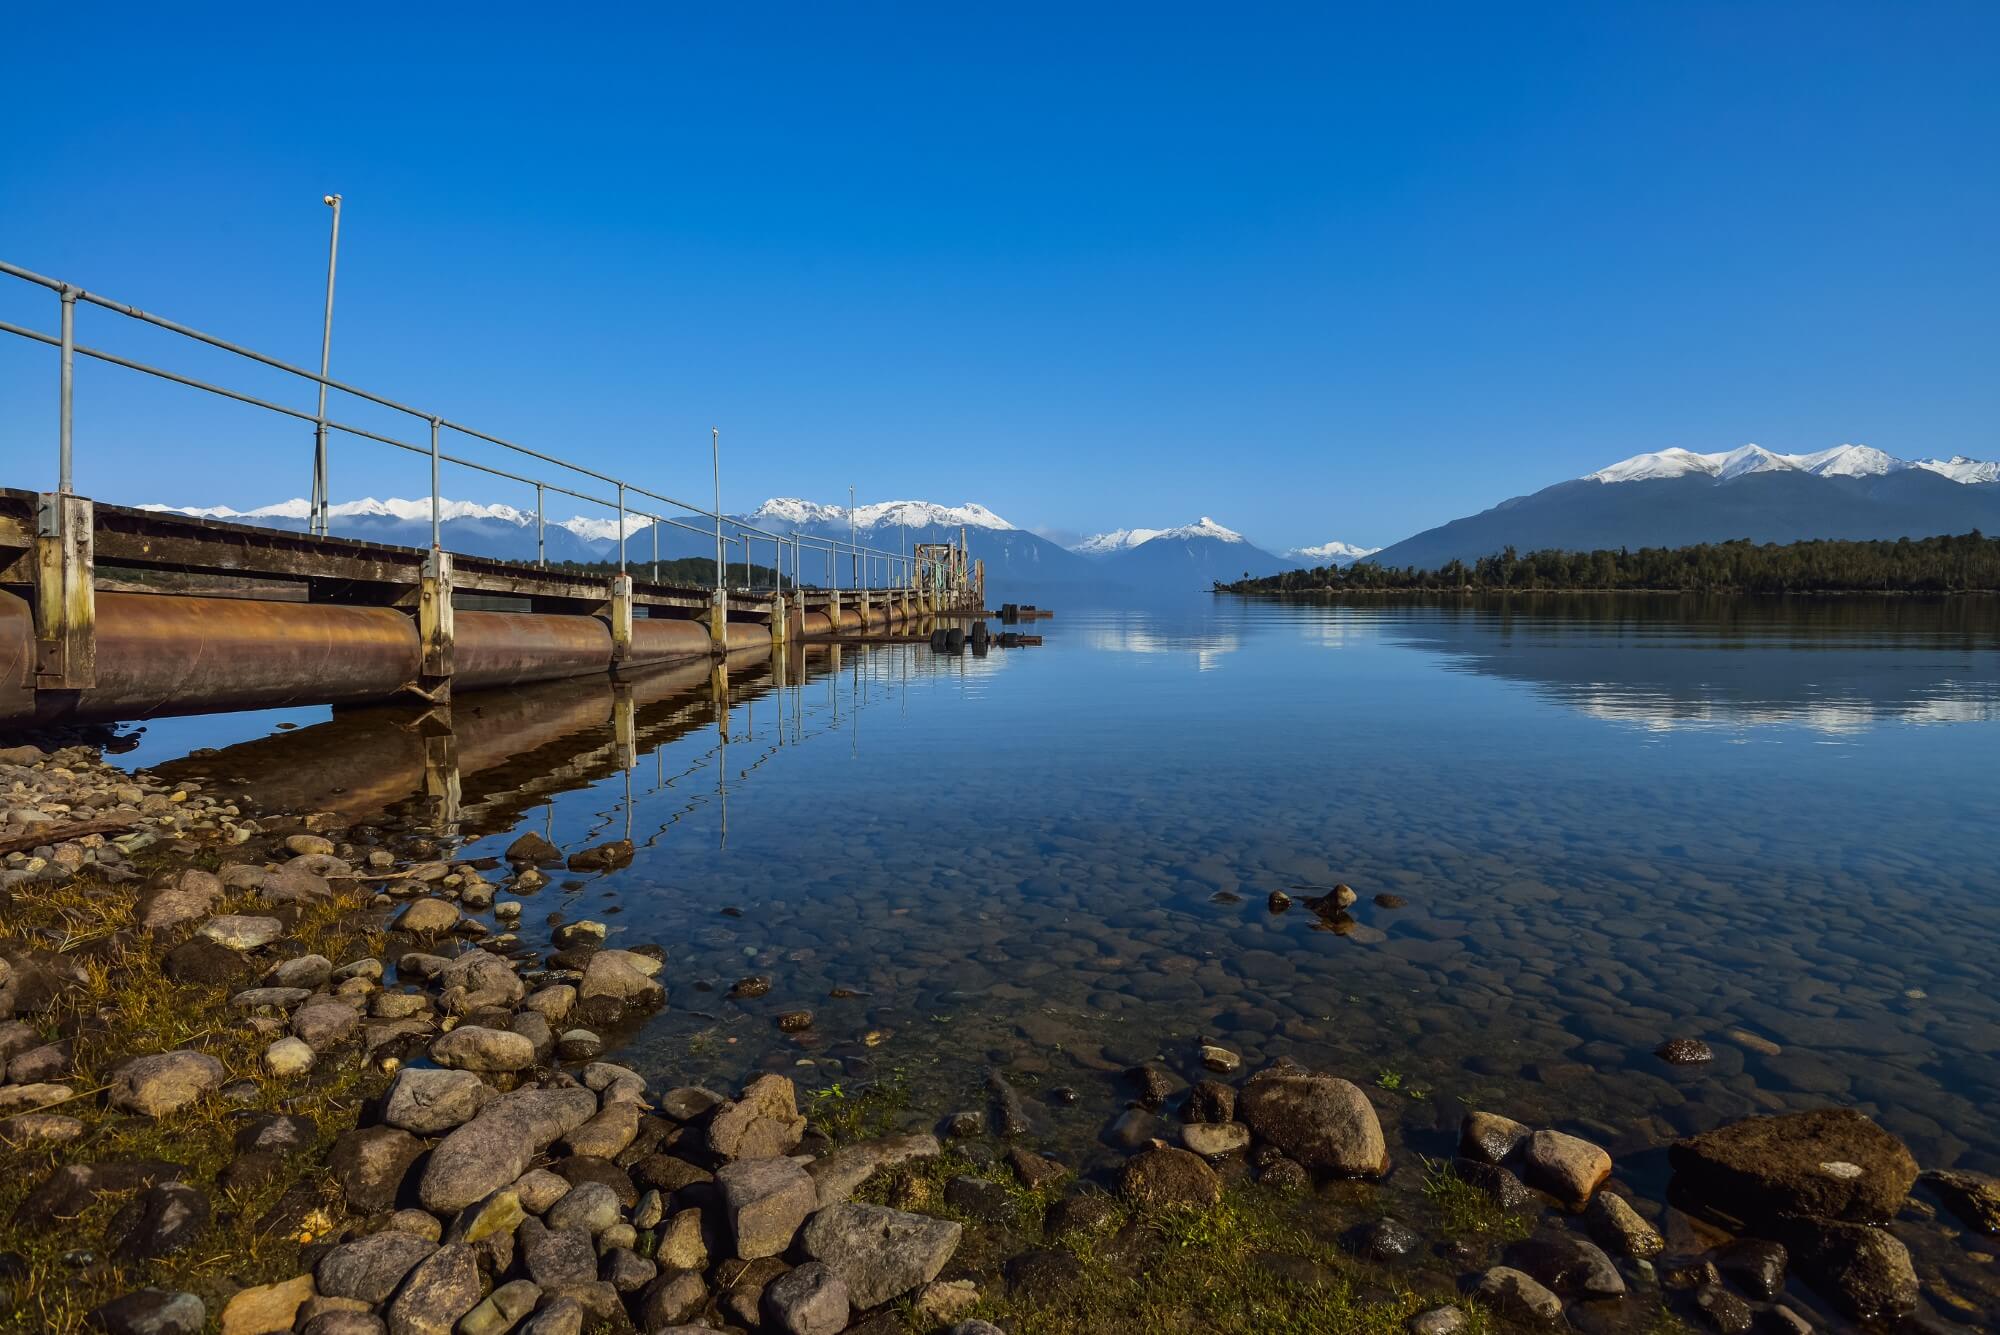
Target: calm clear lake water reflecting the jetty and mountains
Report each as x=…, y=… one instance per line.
x=1597, y=822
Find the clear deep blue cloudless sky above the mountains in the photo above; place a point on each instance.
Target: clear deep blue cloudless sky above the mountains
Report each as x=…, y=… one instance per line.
x=1317, y=273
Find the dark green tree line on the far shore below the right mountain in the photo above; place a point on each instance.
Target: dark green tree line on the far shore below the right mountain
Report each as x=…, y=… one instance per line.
x=1963, y=565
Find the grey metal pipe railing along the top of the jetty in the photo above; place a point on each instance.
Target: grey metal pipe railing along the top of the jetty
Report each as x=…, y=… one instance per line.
x=905, y=571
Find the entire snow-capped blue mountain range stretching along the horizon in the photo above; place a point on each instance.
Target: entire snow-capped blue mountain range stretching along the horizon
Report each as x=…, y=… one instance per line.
x=1651, y=501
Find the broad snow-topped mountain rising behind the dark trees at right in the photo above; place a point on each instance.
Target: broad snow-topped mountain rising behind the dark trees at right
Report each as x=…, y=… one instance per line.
x=1675, y=499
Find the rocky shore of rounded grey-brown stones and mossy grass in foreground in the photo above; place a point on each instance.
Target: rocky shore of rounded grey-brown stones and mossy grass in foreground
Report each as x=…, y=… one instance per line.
x=273, y=1074
